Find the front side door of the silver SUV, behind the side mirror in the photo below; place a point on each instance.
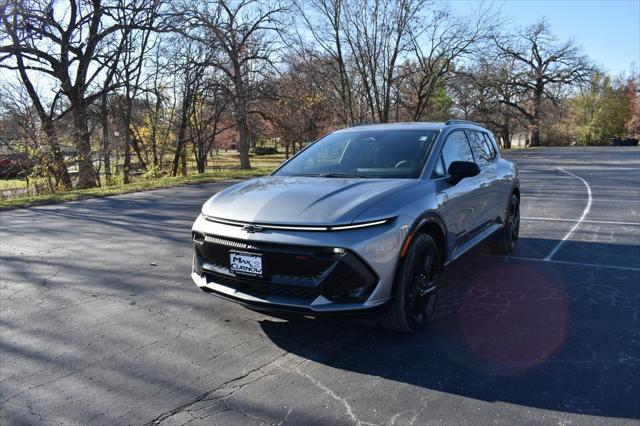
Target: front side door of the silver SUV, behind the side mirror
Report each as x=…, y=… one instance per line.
x=458, y=203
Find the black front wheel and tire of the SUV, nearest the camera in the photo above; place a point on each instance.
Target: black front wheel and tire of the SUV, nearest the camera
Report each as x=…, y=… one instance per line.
x=415, y=290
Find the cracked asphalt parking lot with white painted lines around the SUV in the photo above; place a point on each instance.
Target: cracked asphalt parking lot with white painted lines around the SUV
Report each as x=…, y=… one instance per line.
x=100, y=323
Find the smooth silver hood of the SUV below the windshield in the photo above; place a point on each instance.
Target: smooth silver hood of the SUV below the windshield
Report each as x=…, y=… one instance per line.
x=301, y=200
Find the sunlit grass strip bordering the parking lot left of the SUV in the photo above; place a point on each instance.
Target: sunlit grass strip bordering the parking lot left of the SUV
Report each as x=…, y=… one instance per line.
x=136, y=186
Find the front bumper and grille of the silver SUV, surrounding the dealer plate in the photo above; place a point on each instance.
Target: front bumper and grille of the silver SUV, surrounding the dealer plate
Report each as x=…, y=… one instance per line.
x=302, y=273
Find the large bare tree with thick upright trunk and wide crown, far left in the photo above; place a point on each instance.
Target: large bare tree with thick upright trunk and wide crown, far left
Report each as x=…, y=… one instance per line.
x=73, y=49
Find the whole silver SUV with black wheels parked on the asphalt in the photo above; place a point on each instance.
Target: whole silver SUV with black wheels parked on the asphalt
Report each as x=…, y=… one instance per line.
x=362, y=221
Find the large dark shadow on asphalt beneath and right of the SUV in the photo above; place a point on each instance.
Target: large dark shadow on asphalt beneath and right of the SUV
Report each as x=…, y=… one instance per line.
x=538, y=334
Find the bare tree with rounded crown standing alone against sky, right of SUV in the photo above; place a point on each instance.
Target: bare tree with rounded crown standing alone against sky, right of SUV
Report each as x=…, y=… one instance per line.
x=544, y=69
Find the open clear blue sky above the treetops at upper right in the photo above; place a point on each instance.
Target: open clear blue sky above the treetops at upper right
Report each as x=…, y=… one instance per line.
x=607, y=30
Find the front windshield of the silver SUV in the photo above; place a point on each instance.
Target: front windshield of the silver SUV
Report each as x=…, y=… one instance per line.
x=366, y=153
